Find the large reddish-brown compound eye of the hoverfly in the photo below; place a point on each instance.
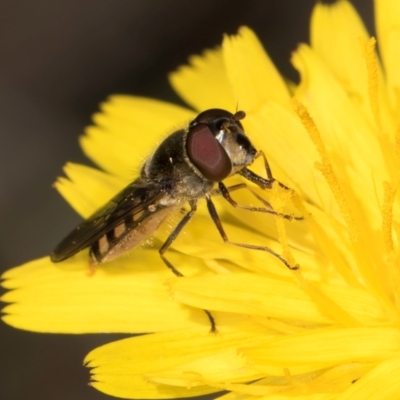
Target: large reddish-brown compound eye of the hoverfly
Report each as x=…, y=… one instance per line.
x=207, y=154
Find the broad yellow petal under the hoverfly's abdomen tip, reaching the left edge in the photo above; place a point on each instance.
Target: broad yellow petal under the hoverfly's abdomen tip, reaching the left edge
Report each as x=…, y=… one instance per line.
x=127, y=295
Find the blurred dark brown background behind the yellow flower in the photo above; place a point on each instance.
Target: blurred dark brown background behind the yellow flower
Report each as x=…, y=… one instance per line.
x=58, y=60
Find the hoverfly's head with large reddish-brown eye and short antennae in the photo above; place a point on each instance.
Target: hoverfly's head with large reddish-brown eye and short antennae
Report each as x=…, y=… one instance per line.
x=217, y=144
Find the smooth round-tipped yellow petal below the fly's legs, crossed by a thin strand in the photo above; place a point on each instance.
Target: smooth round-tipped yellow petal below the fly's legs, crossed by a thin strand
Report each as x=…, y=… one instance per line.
x=273, y=297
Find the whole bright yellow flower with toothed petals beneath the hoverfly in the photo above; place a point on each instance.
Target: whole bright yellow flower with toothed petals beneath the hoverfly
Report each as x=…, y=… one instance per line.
x=329, y=330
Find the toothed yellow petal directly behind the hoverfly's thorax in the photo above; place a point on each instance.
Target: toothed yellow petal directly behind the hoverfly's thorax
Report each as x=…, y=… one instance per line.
x=127, y=131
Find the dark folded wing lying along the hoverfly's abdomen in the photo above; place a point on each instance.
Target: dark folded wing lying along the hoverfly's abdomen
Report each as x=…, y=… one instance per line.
x=132, y=200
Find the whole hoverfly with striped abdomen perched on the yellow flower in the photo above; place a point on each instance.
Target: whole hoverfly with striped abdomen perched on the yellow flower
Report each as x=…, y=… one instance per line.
x=190, y=164
